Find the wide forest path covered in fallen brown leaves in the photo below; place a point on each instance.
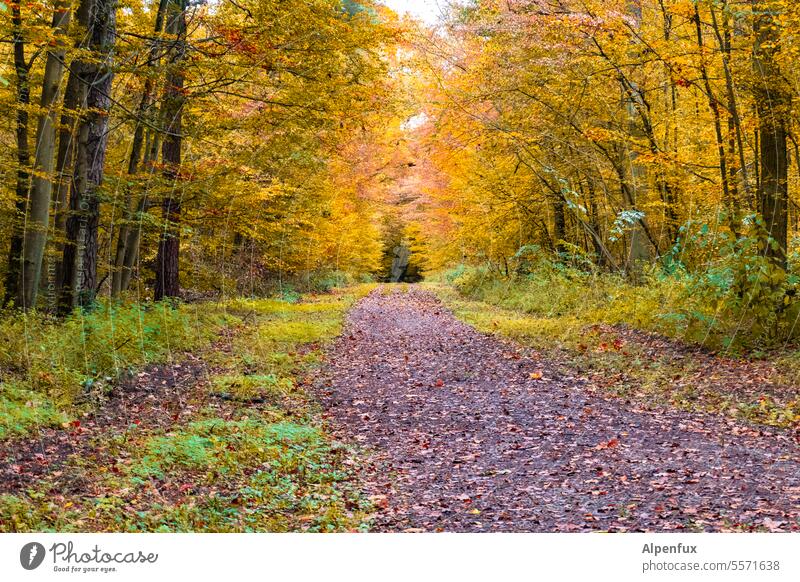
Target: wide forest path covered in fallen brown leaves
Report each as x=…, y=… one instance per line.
x=472, y=433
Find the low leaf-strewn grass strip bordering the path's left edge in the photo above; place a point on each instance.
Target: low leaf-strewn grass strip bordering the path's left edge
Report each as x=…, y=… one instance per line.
x=231, y=466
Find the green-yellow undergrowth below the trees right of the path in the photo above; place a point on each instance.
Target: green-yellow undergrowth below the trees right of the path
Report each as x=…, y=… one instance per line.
x=740, y=301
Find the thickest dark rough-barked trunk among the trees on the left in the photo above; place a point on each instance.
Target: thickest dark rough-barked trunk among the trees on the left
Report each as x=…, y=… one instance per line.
x=96, y=76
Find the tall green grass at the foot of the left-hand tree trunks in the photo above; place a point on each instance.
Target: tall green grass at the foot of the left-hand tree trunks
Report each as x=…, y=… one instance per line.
x=75, y=361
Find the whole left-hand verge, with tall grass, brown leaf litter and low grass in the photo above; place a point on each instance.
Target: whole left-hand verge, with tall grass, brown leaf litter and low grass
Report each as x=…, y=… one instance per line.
x=207, y=426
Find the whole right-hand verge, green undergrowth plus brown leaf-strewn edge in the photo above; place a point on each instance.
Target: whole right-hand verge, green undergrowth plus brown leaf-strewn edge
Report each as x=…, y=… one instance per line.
x=663, y=342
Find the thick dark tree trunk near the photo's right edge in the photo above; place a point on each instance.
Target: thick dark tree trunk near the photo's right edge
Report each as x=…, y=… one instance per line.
x=772, y=101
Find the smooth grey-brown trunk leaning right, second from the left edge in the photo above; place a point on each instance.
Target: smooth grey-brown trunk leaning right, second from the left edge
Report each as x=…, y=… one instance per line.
x=38, y=215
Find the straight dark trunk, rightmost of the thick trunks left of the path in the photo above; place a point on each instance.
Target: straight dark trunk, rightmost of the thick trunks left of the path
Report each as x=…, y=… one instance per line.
x=167, y=259
